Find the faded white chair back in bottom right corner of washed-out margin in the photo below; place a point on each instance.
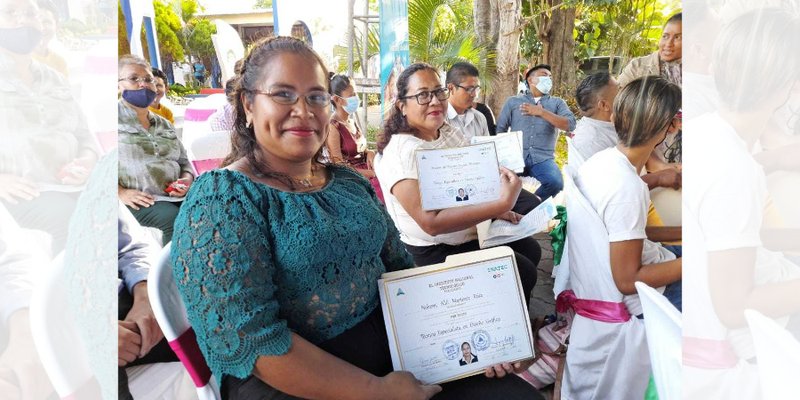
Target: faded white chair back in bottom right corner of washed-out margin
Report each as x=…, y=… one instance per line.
x=778, y=355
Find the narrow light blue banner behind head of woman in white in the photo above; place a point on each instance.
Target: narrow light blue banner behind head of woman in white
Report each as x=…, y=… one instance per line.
x=394, y=47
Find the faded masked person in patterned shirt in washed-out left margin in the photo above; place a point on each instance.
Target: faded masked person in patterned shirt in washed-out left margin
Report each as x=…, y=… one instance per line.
x=46, y=143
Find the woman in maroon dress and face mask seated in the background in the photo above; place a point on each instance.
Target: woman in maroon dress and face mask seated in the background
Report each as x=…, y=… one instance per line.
x=346, y=143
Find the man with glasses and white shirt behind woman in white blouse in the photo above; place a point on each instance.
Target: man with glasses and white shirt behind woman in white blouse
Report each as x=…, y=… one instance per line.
x=464, y=85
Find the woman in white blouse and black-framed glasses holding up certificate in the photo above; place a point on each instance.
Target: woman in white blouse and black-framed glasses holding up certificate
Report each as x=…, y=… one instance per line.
x=417, y=122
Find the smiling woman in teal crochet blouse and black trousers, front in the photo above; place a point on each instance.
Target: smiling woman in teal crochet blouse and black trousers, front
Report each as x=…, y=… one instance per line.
x=277, y=255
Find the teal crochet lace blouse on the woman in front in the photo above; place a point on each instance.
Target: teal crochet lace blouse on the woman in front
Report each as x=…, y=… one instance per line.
x=254, y=263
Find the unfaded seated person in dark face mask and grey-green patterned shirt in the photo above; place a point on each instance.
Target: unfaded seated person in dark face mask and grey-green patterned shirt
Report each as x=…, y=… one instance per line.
x=152, y=160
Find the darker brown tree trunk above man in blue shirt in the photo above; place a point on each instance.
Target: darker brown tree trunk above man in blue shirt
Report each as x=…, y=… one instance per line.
x=559, y=47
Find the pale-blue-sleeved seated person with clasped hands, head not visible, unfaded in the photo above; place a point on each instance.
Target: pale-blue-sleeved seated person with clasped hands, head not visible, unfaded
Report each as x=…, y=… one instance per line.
x=140, y=340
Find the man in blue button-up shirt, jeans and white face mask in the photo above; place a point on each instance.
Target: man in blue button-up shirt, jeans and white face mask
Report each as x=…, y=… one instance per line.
x=539, y=116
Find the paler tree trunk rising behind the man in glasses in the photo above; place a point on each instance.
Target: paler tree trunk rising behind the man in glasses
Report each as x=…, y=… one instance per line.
x=509, y=12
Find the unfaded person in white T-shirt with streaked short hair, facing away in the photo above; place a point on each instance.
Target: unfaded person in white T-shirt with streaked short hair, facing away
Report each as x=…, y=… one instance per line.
x=644, y=112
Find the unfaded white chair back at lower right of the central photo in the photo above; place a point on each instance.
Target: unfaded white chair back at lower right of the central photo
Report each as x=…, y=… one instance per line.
x=662, y=324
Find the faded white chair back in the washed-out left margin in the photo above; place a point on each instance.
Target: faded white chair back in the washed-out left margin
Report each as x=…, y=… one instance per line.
x=57, y=341
